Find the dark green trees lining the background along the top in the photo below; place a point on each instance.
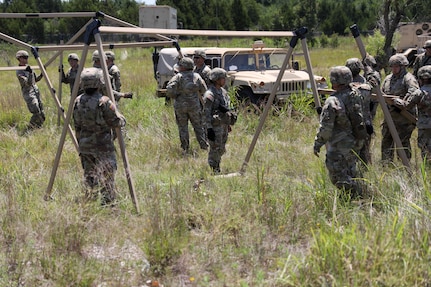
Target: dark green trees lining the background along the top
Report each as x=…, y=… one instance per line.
x=322, y=16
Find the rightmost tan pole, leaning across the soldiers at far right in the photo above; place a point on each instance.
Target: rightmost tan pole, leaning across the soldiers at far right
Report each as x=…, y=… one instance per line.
x=401, y=152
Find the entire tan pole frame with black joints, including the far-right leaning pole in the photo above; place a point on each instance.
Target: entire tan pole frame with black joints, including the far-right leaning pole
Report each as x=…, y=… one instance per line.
x=92, y=30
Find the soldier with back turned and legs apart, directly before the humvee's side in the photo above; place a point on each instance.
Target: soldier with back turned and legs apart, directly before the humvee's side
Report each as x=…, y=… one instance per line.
x=186, y=88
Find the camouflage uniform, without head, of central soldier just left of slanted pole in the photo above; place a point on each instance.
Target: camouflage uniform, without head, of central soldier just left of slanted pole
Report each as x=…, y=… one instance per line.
x=217, y=120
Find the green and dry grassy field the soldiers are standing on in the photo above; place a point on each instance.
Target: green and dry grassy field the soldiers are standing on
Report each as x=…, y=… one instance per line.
x=280, y=224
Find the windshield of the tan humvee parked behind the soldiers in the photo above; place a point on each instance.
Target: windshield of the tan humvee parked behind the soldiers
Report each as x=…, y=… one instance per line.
x=253, y=61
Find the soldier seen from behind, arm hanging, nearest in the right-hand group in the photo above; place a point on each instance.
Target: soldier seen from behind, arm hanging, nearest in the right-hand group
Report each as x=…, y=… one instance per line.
x=341, y=127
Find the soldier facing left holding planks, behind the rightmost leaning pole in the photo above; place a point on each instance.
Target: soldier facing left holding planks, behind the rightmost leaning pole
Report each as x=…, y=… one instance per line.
x=403, y=84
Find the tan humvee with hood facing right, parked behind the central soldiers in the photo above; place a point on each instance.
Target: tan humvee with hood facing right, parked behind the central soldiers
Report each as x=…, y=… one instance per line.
x=252, y=71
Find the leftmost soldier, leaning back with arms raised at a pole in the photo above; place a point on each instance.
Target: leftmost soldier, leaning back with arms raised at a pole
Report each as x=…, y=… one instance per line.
x=30, y=91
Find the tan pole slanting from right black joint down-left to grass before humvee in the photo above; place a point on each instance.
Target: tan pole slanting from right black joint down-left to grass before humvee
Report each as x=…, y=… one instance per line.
x=268, y=105
